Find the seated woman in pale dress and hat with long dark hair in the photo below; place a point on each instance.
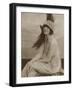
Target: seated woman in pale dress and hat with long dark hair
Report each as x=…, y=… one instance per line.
x=47, y=61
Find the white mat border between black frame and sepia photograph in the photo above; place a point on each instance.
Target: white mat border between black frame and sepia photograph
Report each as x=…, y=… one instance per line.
x=24, y=80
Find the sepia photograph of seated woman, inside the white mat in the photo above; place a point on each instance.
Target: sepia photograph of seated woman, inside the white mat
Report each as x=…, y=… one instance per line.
x=42, y=44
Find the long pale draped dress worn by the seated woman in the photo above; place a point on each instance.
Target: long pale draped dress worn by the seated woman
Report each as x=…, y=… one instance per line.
x=46, y=62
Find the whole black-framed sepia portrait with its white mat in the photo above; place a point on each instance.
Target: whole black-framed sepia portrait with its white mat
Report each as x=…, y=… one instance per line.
x=41, y=44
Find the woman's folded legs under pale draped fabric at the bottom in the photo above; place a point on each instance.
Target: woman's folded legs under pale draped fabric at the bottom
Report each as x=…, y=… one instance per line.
x=38, y=67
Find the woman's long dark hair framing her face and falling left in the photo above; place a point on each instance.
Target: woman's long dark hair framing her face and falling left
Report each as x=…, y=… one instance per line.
x=41, y=38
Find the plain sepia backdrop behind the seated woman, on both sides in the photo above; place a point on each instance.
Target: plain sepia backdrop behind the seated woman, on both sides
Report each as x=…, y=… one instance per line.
x=30, y=30
